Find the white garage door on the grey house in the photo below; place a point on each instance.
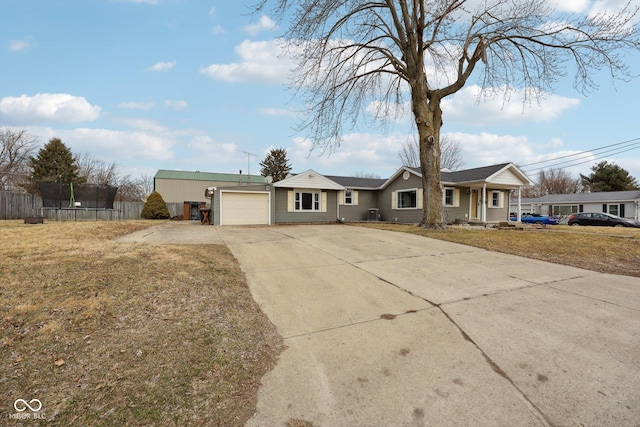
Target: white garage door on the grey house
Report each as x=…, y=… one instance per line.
x=244, y=208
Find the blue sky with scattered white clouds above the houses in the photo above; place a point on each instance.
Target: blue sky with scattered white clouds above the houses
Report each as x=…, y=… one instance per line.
x=194, y=85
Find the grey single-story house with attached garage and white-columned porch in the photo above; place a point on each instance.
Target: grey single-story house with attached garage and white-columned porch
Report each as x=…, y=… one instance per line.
x=473, y=195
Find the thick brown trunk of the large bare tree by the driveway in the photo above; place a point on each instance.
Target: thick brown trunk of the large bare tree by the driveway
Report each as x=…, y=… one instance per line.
x=428, y=117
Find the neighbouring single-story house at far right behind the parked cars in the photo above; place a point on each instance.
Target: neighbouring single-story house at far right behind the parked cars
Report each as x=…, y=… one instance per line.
x=621, y=203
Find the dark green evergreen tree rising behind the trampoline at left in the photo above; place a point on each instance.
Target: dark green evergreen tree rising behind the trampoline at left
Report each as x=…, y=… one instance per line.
x=54, y=163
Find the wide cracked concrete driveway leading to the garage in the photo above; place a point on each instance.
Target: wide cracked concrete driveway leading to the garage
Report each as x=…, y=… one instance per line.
x=390, y=329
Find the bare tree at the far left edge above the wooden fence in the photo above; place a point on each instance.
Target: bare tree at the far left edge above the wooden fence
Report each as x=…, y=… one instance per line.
x=16, y=146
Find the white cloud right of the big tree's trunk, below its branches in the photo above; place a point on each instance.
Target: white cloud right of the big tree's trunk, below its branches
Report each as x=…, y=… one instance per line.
x=468, y=106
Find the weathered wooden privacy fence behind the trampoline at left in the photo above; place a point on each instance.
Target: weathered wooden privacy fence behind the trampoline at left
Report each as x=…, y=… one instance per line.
x=22, y=205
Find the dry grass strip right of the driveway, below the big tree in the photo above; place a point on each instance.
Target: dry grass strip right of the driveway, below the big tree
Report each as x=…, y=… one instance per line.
x=603, y=249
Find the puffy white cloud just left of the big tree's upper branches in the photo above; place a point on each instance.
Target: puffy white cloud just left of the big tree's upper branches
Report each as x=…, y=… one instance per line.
x=261, y=62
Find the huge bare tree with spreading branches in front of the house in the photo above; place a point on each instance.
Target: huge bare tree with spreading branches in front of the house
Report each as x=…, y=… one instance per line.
x=353, y=54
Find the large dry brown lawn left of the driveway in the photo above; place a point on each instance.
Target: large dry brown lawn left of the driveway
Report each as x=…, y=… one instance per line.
x=110, y=333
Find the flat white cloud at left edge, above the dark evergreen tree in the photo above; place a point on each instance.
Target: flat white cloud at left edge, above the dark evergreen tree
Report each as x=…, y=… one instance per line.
x=55, y=107
